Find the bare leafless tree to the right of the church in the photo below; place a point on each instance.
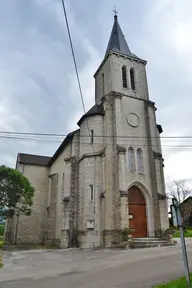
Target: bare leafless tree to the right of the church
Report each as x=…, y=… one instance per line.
x=179, y=190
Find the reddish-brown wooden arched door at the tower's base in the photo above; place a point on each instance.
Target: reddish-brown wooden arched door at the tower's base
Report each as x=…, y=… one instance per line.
x=137, y=212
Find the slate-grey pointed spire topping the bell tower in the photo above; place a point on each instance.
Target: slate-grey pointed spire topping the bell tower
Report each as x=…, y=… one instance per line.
x=117, y=42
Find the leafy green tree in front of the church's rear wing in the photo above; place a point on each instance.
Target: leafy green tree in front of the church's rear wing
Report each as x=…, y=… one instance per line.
x=16, y=193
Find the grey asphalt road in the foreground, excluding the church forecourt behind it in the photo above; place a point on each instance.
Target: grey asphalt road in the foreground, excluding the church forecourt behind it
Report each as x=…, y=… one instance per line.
x=139, y=274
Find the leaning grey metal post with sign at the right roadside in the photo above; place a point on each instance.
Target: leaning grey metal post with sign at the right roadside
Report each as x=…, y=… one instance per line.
x=177, y=221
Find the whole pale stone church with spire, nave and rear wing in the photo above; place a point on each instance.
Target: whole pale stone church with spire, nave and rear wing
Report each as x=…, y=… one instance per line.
x=108, y=174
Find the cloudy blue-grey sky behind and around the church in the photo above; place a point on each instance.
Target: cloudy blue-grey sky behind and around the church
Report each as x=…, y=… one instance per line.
x=38, y=88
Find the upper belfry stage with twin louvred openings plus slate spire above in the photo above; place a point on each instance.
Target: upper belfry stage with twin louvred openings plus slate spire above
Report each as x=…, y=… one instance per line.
x=120, y=71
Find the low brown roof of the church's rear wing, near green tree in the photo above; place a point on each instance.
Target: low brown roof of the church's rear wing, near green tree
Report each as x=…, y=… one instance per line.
x=33, y=159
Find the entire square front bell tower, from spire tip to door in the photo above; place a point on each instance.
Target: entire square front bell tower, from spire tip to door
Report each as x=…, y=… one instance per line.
x=133, y=153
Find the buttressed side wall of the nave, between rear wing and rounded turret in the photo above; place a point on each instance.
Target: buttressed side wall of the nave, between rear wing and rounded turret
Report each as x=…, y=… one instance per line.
x=66, y=197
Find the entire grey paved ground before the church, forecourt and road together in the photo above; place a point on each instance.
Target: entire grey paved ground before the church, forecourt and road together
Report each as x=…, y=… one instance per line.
x=92, y=269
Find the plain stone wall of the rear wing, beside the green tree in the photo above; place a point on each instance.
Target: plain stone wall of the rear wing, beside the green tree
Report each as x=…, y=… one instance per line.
x=31, y=228
